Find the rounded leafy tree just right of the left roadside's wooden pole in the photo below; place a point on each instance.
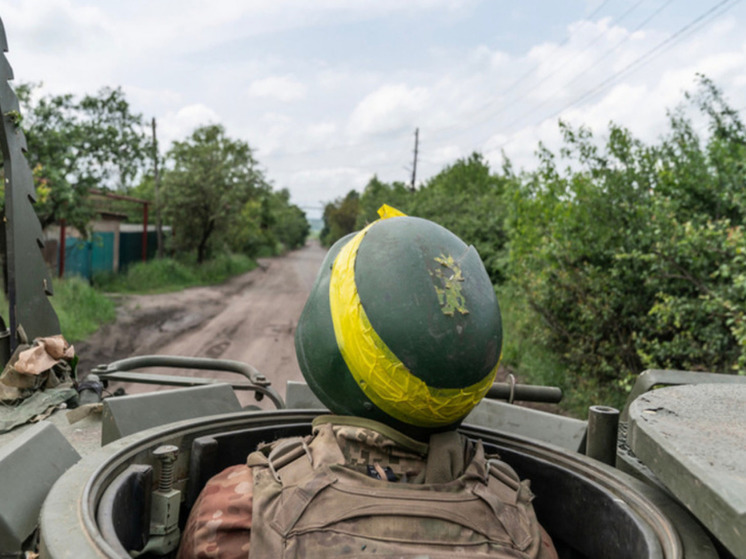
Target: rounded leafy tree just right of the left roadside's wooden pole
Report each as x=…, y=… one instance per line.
x=210, y=179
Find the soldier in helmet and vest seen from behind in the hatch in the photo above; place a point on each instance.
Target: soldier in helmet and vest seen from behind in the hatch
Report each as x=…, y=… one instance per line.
x=400, y=338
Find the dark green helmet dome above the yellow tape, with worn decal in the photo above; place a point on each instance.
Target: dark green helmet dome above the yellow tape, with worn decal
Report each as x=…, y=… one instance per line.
x=429, y=298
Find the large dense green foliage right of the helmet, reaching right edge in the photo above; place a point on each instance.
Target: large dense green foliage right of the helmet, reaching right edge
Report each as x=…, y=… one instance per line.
x=631, y=255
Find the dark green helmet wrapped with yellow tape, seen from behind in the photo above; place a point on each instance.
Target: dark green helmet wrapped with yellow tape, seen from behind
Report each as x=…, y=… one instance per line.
x=402, y=326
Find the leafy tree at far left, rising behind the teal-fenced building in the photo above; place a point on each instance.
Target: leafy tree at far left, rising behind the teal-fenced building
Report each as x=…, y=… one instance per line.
x=75, y=145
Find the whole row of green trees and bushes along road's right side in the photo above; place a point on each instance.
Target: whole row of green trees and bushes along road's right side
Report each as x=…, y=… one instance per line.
x=611, y=257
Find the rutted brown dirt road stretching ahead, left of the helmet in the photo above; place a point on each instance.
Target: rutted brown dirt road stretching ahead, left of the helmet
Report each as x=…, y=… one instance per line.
x=250, y=318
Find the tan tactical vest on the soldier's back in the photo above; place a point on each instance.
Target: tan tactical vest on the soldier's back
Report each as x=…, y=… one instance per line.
x=308, y=504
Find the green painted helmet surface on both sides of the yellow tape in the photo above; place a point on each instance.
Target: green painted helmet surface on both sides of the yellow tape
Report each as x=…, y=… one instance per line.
x=396, y=274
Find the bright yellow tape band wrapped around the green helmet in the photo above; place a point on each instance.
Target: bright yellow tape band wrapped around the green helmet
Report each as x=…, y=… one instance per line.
x=379, y=373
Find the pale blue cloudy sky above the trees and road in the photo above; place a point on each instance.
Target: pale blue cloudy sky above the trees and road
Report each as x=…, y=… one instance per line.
x=329, y=93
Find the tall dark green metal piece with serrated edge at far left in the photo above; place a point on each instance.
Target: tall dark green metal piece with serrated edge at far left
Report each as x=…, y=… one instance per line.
x=29, y=282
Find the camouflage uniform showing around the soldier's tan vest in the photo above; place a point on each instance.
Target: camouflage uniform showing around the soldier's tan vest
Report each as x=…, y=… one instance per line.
x=220, y=524
